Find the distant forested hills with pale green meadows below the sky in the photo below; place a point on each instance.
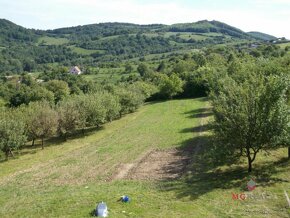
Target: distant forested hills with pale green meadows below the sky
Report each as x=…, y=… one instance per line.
x=24, y=49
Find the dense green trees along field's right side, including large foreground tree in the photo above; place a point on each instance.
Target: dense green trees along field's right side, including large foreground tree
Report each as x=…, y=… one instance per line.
x=250, y=97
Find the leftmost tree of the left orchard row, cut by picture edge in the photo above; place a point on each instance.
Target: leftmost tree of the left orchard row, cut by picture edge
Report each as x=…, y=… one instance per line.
x=12, y=132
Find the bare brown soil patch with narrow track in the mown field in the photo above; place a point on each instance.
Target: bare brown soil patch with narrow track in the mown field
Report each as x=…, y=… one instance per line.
x=163, y=164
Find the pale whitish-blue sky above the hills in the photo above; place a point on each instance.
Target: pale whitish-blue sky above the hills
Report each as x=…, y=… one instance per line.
x=268, y=16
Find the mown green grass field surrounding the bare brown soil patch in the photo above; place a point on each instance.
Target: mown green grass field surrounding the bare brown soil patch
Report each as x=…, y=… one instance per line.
x=67, y=179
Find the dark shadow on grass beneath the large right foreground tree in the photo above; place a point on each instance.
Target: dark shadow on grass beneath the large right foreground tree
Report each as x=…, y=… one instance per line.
x=204, y=173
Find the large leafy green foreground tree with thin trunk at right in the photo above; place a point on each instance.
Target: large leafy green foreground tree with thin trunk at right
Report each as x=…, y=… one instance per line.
x=251, y=114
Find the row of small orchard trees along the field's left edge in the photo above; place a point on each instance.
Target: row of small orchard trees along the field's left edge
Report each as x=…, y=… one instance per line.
x=43, y=119
